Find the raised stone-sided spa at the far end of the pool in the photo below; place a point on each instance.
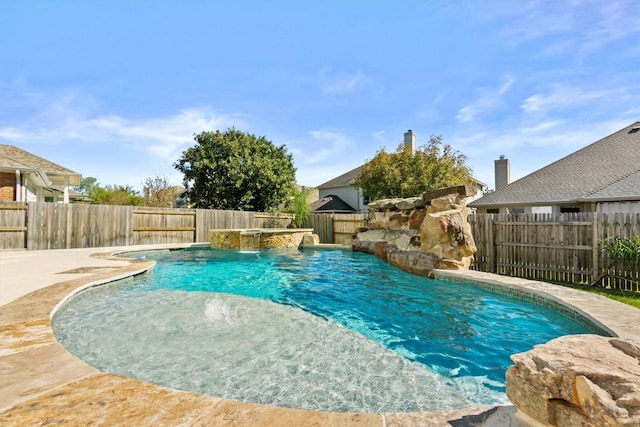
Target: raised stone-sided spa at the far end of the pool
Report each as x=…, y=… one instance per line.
x=259, y=238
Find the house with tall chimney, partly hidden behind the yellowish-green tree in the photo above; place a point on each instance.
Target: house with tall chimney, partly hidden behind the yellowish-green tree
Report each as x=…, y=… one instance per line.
x=343, y=187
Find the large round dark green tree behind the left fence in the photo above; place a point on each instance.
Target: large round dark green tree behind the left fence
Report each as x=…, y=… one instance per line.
x=234, y=170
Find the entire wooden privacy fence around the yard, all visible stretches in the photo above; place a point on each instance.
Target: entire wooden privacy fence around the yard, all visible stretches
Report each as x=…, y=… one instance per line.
x=561, y=248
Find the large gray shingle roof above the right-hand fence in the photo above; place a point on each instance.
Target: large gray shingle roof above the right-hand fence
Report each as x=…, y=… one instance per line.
x=608, y=169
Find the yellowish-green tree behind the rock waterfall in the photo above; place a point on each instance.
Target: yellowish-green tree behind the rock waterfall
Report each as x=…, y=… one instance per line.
x=403, y=174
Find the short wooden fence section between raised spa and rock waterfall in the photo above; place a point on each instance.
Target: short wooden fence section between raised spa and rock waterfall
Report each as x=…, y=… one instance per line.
x=335, y=228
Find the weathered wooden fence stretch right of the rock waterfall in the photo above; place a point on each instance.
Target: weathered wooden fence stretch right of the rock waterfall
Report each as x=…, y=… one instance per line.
x=556, y=248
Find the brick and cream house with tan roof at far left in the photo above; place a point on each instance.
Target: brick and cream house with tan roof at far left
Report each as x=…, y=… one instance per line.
x=25, y=177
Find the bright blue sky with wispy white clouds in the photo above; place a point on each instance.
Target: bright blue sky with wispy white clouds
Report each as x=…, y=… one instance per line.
x=116, y=89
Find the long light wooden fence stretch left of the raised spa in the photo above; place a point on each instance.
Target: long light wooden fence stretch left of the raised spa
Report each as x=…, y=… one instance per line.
x=59, y=226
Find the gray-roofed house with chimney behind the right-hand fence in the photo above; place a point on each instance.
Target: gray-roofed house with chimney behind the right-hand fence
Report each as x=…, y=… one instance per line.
x=602, y=177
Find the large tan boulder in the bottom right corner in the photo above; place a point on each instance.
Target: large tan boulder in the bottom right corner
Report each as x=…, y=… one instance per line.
x=578, y=380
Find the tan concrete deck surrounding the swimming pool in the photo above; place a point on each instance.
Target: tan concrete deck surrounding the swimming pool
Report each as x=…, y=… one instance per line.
x=43, y=384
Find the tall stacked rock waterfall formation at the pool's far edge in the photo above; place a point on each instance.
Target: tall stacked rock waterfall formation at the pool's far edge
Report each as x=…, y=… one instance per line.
x=420, y=234
